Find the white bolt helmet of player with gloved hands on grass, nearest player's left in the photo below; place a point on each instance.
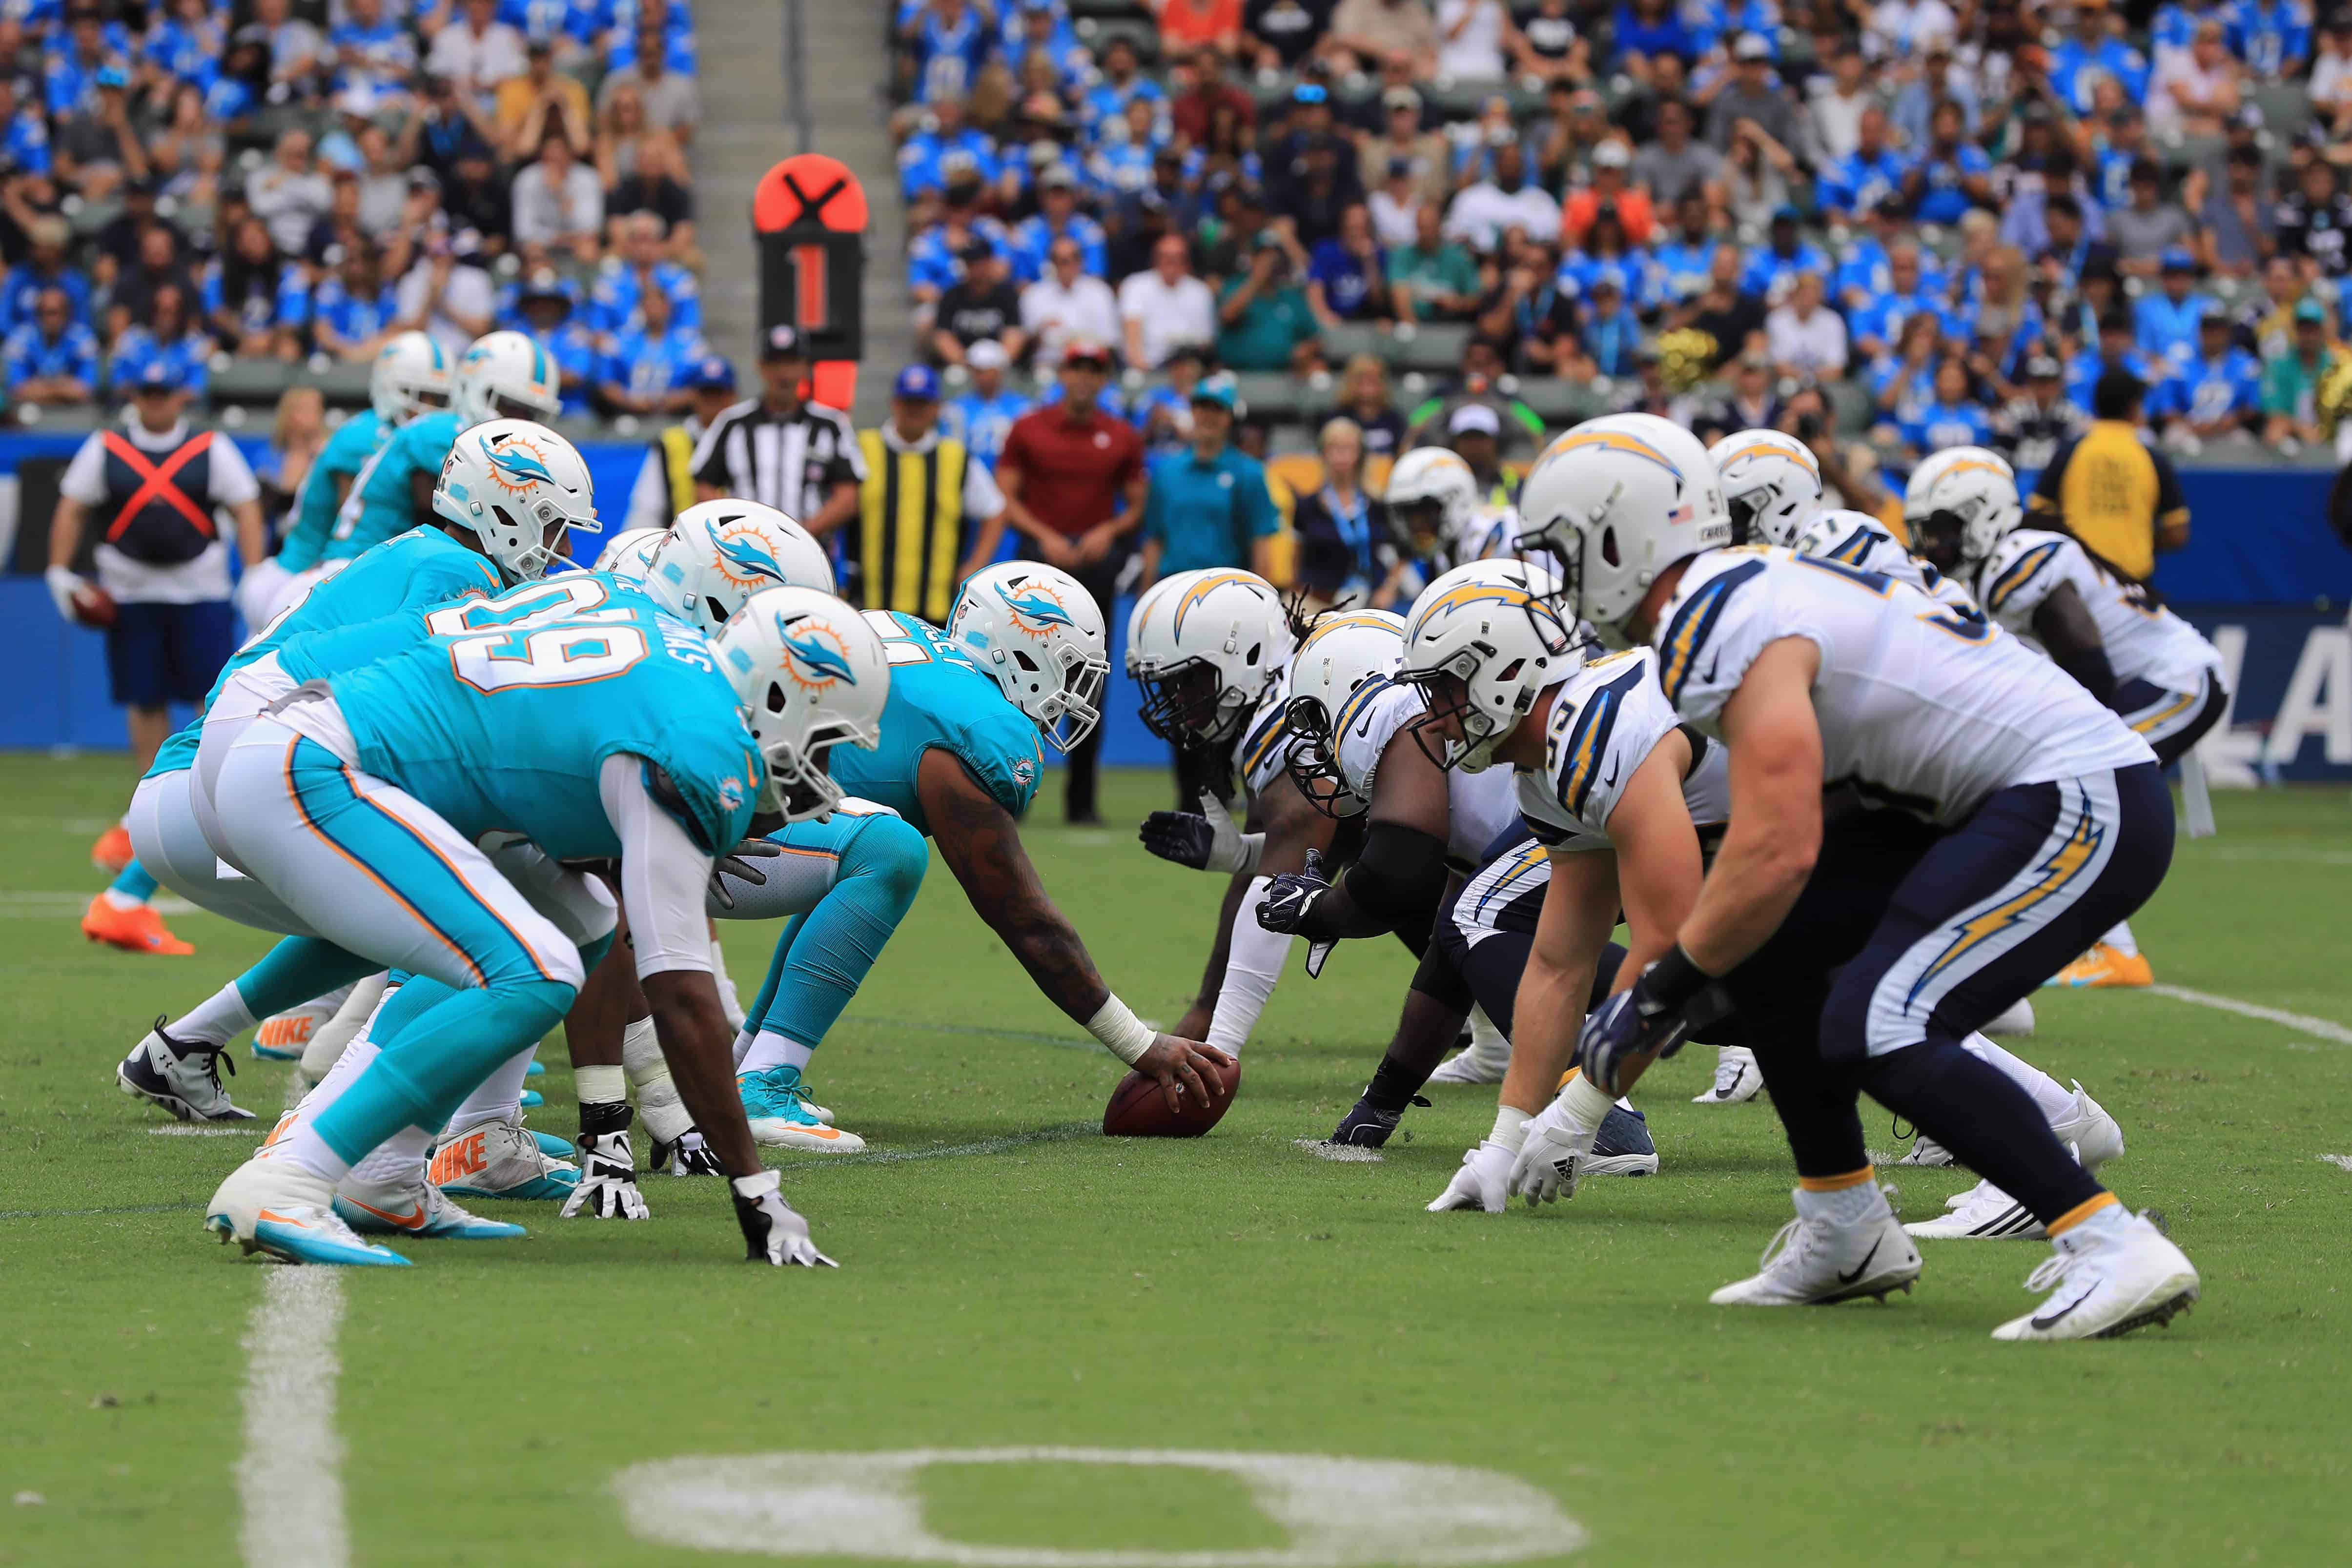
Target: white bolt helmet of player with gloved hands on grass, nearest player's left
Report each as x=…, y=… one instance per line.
x=1483, y=645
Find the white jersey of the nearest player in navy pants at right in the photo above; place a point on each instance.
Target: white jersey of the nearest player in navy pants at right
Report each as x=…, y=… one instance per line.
x=1920, y=709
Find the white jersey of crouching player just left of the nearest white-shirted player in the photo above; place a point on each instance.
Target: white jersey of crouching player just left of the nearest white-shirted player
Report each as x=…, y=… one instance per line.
x=1605, y=723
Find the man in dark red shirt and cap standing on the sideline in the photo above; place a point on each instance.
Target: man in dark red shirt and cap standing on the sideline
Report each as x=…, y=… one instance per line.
x=1067, y=471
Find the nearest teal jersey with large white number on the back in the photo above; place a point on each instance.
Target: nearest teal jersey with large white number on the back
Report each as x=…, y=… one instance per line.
x=507, y=730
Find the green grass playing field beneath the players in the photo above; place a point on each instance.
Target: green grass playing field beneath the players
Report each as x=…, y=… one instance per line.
x=1013, y=1280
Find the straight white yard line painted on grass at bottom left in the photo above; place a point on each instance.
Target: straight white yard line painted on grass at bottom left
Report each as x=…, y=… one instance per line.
x=290, y=1480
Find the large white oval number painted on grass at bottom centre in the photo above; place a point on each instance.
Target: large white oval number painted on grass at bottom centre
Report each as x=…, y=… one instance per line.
x=1339, y=1513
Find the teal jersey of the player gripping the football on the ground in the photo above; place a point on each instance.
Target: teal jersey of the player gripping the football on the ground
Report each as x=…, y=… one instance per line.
x=940, y=699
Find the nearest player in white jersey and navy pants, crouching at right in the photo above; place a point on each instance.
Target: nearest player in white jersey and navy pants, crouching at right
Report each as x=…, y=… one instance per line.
x=1989, y=822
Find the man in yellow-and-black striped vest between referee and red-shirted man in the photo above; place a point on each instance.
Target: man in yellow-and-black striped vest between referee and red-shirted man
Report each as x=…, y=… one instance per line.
x=928, y=514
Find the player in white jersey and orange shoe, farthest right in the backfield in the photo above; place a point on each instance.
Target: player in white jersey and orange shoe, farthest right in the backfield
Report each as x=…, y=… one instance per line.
x=2104, y=629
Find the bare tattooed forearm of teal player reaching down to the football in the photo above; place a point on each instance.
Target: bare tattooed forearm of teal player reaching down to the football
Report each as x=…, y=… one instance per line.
x=982, y=845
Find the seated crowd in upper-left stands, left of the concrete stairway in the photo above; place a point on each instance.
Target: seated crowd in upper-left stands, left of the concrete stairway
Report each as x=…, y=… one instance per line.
x=194, y=182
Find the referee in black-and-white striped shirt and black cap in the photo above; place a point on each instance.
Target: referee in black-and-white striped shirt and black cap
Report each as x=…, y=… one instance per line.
x=782, y=450
